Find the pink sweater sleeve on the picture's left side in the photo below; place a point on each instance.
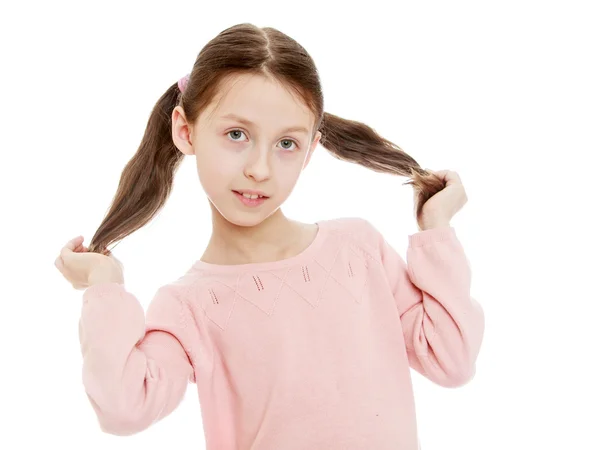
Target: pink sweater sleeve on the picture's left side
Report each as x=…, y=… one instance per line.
x=136, y=366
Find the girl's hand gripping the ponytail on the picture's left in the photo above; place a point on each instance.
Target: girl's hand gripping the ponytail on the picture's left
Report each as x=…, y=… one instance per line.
x=83, y=269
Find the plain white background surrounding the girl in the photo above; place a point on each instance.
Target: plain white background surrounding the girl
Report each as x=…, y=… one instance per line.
x=505, y=93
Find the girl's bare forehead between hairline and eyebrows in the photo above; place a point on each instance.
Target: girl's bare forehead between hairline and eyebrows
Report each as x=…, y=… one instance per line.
x=261, y=100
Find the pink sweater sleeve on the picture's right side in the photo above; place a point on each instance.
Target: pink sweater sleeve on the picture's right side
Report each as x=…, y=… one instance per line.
x=442, y=323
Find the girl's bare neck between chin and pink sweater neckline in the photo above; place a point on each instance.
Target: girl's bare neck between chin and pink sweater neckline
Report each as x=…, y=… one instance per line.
x=274, y=238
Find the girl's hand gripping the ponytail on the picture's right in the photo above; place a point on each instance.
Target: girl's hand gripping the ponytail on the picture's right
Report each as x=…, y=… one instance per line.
x=441, y=207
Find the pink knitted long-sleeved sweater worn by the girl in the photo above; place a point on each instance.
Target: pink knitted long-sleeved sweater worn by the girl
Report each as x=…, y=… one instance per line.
x=311, y=352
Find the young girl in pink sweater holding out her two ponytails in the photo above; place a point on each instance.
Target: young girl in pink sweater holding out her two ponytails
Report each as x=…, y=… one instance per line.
x=298, y=336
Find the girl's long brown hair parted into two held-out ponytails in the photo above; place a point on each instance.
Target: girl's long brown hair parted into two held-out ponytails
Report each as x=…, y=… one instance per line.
x=147, y=179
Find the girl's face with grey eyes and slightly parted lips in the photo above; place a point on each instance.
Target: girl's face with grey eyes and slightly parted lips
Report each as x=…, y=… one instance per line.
x=266, y=155
